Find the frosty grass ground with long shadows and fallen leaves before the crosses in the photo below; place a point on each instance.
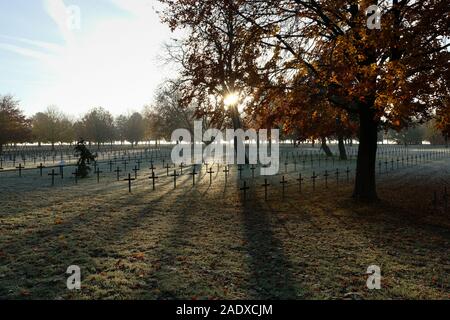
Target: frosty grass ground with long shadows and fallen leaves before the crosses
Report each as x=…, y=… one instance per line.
x=208, y=242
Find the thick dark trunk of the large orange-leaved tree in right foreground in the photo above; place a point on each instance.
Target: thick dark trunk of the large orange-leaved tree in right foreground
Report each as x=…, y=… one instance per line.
x=365, y=183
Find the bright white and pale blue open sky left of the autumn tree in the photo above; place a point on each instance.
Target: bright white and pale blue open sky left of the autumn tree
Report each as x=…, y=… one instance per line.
x=80, y=54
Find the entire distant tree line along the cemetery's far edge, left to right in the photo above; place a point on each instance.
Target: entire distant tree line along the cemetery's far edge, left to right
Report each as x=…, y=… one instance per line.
x=159, y=121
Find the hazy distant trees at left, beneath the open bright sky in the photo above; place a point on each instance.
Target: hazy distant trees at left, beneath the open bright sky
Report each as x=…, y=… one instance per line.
x=97, y=126
